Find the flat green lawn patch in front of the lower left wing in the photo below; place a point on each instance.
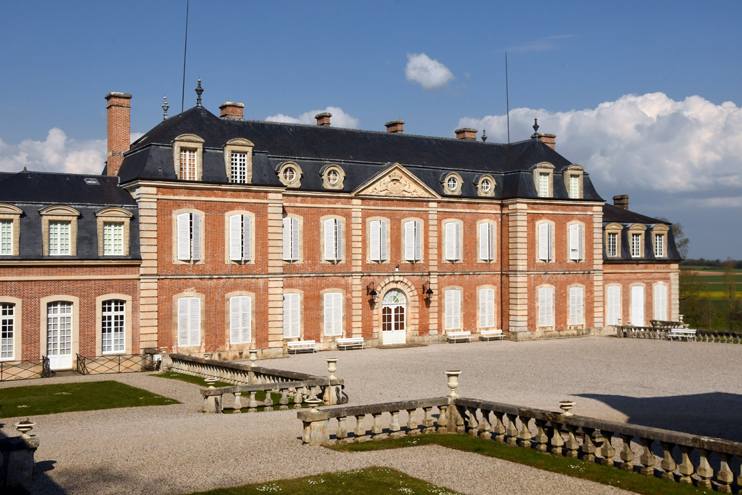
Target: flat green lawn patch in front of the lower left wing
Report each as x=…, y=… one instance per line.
x=67, y=397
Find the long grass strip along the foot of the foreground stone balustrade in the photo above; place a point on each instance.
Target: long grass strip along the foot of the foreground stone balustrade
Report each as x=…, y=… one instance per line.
x=571, y=467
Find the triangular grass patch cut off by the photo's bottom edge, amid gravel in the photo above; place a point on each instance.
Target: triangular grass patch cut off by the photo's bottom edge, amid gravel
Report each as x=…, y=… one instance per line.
x=371, y=481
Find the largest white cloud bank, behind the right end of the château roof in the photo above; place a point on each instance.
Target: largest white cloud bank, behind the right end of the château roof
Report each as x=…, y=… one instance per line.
x=648, y=142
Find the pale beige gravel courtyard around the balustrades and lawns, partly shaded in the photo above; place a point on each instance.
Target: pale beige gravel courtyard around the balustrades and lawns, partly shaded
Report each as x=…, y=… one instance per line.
x=176, y=449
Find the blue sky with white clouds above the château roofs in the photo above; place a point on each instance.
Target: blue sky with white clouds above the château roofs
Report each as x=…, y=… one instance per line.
x=645, y=95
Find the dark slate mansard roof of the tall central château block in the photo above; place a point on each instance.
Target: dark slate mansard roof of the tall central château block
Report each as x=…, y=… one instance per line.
x=361, y=154
